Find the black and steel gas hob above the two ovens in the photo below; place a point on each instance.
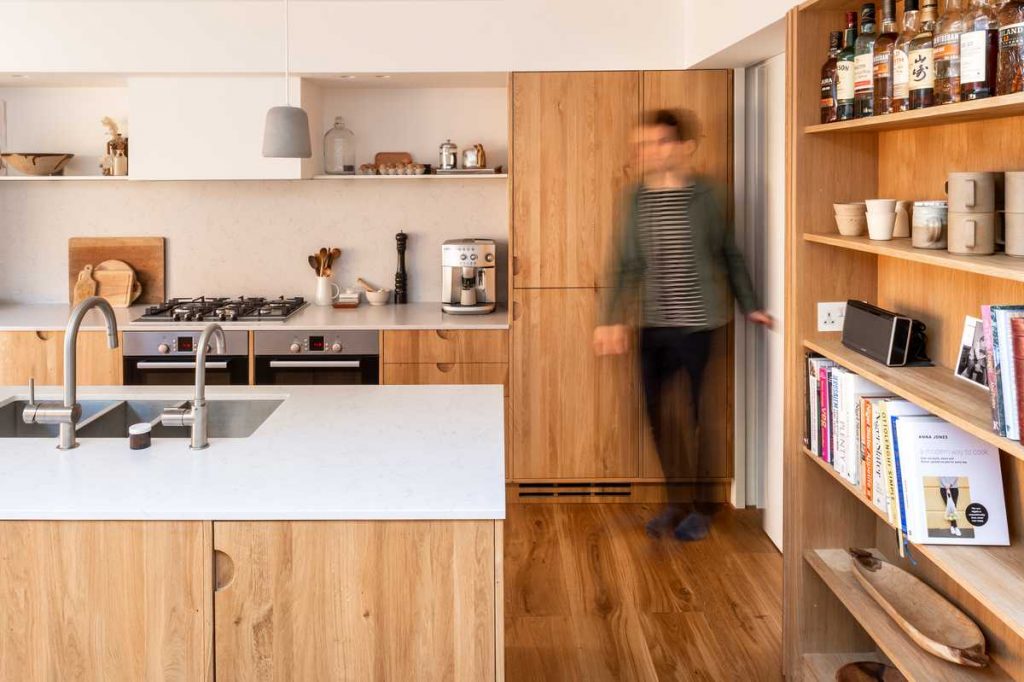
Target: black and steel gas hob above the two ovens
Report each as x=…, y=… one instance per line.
x=207, y=309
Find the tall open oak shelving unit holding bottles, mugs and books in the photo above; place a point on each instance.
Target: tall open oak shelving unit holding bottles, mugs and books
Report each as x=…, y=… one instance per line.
x=829, y=619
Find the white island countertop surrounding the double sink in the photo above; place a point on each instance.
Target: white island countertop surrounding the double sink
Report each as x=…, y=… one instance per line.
x=326, y=453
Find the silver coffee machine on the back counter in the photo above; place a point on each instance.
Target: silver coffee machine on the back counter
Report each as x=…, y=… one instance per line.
x=470, y=277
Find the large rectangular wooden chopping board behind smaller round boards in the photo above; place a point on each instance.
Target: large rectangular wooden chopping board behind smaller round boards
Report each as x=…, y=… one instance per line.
x=144, y=254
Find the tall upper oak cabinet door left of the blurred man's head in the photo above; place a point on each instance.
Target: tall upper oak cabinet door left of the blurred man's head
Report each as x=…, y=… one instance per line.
x=574, y=151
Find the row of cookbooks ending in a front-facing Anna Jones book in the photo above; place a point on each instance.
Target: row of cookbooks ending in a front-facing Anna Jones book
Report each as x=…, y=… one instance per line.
x=935, y=483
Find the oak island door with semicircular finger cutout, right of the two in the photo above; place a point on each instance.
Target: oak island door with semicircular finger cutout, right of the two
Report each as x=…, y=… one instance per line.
x=356, y=601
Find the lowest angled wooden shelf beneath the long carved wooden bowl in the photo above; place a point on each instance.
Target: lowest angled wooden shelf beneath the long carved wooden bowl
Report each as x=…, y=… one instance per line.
x=836, y=569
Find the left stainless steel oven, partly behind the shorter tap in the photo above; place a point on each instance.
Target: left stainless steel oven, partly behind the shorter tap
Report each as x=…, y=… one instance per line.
x=168, y=359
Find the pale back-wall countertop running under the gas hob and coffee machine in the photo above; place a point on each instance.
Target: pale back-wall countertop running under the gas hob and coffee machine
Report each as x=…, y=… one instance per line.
x=46, y=318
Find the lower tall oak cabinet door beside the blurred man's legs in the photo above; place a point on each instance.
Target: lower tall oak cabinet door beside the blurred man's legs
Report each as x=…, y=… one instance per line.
x=574, y=415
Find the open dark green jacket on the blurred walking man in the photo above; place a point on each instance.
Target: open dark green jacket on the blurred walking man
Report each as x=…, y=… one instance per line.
x=720, y=266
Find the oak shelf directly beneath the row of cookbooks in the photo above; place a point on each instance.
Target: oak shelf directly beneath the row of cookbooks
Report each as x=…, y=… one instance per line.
x=994, y=576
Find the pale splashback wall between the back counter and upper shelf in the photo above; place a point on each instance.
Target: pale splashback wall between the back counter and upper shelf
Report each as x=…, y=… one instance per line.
x=248, y=238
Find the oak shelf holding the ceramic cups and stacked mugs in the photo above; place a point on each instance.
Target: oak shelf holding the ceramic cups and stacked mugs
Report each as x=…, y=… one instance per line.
x=998, y=266
